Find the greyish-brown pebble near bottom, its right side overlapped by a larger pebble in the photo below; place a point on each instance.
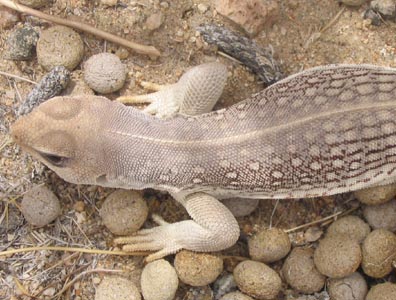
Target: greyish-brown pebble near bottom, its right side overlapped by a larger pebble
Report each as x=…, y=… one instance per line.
x=300, y=272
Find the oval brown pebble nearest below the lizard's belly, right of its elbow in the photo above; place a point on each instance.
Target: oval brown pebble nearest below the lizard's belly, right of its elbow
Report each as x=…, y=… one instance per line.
x=269, y=245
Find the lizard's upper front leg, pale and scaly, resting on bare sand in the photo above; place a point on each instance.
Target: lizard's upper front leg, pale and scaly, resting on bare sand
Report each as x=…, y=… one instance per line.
x=196, y=92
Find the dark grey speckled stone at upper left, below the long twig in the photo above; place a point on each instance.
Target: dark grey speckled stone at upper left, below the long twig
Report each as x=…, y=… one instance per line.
x=21, y=43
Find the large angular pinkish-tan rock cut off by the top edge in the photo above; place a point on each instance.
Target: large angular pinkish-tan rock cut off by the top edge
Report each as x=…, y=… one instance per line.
x=252, y=15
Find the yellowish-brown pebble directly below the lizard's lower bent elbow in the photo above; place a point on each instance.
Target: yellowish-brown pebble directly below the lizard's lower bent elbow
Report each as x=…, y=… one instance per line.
x=197, y=269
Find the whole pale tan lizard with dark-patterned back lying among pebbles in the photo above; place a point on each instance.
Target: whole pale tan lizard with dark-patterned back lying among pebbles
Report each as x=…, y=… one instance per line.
x=322, y=131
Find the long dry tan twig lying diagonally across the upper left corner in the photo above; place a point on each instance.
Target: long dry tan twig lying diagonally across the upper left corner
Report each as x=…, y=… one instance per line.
x=139, y=48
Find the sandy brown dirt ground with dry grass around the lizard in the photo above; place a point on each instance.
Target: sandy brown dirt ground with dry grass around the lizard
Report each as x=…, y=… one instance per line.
x=299, y=41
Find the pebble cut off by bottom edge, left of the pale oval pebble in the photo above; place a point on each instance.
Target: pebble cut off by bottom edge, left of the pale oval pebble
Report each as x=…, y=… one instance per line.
x=117, y=288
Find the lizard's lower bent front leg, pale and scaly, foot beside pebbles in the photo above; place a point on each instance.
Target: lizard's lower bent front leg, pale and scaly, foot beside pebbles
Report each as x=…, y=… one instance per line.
x=212, y=228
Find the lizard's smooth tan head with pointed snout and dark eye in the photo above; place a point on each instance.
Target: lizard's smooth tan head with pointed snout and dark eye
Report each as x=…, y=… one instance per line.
x=64, y=133
